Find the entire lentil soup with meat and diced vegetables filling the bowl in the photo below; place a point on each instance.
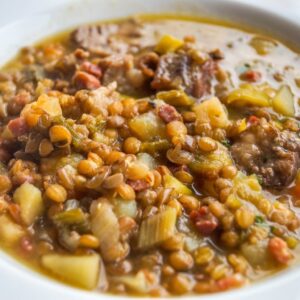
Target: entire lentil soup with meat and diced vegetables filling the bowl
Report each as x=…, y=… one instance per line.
x=152, y=156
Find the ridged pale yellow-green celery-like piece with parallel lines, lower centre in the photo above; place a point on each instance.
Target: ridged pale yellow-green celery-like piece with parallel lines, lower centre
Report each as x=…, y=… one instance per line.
x=157, y=228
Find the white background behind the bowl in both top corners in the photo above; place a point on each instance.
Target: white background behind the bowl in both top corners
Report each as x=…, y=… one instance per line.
x=14, y=9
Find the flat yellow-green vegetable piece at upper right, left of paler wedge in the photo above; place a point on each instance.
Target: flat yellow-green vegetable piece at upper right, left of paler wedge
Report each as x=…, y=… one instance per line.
x=248, y=95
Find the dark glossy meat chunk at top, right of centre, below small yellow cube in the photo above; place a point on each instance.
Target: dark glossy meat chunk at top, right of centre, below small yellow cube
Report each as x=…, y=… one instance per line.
x=177, y=71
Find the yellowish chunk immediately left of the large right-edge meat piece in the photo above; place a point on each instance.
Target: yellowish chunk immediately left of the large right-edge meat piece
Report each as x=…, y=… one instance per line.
x=209, y=165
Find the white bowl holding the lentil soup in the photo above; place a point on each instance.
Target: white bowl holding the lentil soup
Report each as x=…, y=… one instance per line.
x=19, y=282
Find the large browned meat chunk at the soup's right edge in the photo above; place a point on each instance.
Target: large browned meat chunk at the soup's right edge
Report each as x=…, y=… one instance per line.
x=268, y=152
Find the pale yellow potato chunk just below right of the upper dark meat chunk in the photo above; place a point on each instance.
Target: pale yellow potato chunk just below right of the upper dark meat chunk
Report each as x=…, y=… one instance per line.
x=212, y=111
